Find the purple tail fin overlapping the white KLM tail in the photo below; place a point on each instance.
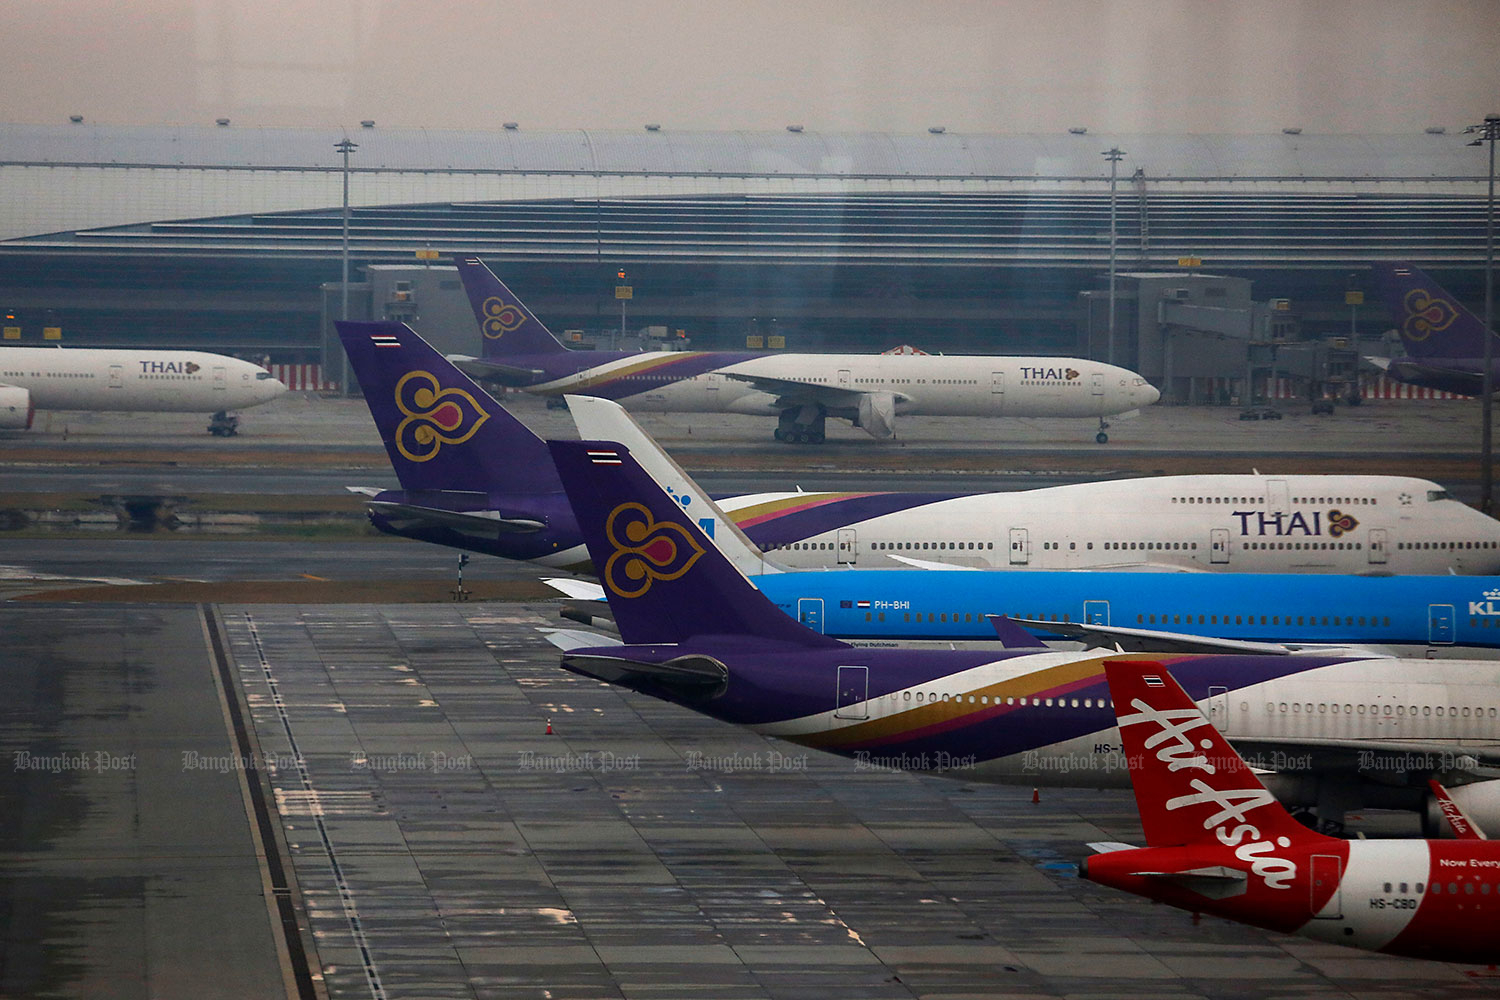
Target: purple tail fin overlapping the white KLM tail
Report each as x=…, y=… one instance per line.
x=664, y=578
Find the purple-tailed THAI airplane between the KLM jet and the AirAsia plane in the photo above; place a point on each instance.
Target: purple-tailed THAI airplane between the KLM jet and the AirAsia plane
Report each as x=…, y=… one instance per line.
x=1342, y=731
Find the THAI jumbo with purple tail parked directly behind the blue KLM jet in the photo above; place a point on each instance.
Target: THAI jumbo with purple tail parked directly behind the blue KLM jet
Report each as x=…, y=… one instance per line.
x=493, y=490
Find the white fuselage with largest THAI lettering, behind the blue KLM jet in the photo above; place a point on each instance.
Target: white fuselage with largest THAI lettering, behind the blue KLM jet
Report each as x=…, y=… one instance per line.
x=1238, y=524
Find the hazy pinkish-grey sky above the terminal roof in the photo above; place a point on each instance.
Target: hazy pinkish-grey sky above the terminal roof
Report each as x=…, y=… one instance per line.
x=832, y=65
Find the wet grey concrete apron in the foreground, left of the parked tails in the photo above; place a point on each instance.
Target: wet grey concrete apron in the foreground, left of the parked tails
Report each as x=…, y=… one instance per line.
x=442, y=845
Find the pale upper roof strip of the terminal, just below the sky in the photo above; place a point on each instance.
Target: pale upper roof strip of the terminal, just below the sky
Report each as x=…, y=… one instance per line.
x=665, y=152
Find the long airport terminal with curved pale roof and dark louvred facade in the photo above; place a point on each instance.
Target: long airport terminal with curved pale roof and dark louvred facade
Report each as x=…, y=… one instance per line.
x=230, y=239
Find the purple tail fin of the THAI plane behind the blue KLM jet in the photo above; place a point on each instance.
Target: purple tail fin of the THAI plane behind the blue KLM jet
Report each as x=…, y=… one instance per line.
x=443, y=433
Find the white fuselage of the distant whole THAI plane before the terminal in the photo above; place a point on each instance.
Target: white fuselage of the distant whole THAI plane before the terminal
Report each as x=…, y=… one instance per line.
x=929, y=385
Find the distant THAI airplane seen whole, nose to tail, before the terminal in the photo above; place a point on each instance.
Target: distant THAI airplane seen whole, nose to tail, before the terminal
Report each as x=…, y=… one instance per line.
x=802, y=391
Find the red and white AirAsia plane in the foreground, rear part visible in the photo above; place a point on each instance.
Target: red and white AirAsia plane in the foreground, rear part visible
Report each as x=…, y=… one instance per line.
x=1219, y=843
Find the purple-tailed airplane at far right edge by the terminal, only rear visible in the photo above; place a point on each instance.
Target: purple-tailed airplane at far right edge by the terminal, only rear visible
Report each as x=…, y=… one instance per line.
x=1445, y=343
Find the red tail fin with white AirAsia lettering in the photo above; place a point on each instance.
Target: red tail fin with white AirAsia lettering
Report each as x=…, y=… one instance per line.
x=1190, y=785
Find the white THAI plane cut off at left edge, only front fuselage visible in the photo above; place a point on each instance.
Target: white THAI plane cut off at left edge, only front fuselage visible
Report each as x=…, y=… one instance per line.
x=130, y=380
